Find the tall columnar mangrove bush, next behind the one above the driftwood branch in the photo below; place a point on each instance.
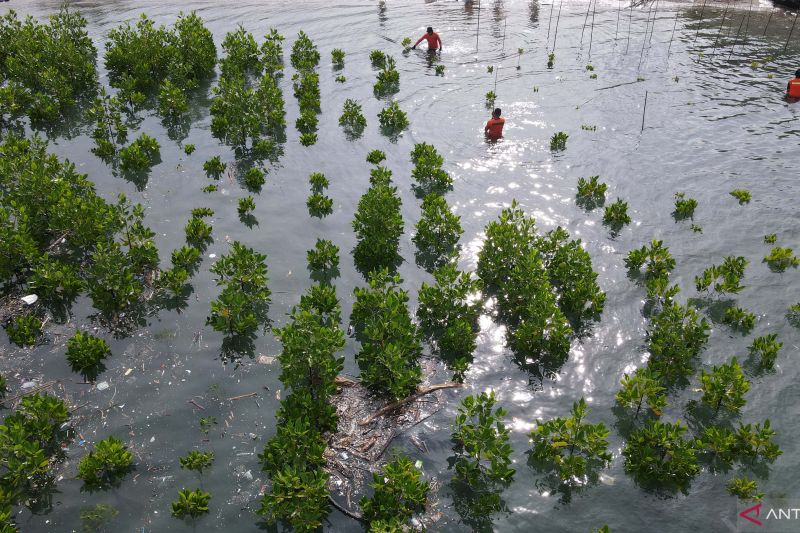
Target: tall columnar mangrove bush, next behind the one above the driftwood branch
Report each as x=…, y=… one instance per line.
x=378, y=225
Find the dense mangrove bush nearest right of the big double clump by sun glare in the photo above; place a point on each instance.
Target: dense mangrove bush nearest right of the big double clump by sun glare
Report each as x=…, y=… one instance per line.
x=675, y=338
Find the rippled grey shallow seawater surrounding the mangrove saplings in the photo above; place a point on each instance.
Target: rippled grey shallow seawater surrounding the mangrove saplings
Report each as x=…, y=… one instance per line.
x=711, y=124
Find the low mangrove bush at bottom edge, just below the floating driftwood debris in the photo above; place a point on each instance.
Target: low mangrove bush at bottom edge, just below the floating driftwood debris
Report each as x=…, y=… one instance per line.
x=399, y=494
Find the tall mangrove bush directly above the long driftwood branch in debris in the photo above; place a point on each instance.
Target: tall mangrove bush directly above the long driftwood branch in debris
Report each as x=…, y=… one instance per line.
x=390, y=341
